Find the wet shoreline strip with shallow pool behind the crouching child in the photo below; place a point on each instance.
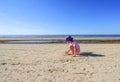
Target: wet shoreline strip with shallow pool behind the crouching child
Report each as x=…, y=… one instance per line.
x=20, y=40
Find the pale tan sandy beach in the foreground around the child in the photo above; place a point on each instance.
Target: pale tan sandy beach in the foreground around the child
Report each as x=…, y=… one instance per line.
x=47, y=63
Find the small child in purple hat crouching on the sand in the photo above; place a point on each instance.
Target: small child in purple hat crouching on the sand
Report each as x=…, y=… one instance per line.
x=74, y=48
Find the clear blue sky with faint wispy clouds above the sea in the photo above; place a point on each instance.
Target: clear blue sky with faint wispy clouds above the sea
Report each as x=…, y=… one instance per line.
x=59, y=17
